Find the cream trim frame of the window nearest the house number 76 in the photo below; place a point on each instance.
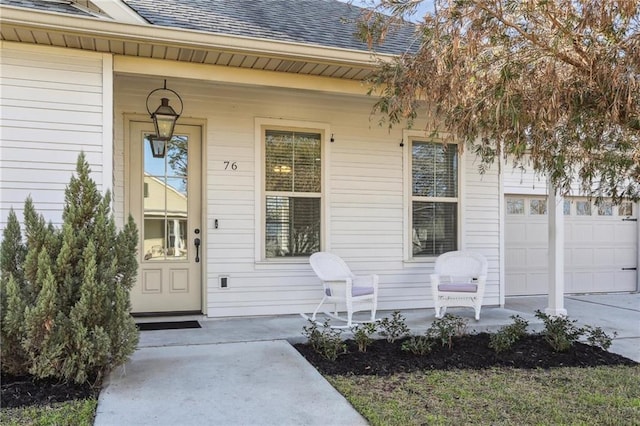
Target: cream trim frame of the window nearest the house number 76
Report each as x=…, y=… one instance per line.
x=261, y=126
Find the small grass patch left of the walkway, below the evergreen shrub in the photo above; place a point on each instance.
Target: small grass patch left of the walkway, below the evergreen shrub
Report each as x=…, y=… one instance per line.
x=76, y=413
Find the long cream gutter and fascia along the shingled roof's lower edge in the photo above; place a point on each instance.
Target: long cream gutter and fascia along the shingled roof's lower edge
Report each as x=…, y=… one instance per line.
x=185, y=38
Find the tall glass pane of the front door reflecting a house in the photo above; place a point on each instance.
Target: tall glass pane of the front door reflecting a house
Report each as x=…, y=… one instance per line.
x=165, y=202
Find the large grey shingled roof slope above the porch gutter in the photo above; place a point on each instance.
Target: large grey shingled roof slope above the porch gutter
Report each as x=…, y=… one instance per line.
x=318, y=22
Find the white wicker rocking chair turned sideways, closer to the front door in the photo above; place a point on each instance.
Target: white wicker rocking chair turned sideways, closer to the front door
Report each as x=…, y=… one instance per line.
x=341, y=286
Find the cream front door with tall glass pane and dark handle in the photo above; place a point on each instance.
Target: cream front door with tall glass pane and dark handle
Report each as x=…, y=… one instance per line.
x=165, y=202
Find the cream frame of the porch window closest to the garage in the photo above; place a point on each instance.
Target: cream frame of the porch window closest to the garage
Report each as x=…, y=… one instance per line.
x=409, y=137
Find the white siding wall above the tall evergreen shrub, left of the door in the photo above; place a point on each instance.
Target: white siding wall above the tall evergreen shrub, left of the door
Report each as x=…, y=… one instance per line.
x=55, y=103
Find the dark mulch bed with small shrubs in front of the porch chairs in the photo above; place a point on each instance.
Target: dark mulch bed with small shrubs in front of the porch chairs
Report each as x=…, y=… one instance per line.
x=470, y=352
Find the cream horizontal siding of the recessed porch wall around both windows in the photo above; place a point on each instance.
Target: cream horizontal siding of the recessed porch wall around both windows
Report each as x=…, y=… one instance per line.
x=364, y=193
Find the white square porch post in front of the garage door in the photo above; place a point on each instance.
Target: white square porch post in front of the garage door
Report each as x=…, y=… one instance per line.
x=555, y=206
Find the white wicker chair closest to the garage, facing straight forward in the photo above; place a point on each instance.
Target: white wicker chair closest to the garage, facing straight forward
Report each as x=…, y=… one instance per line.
x=459, y=279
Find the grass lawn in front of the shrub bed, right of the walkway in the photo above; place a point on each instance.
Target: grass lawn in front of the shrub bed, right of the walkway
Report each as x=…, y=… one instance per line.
x=598, y=395
